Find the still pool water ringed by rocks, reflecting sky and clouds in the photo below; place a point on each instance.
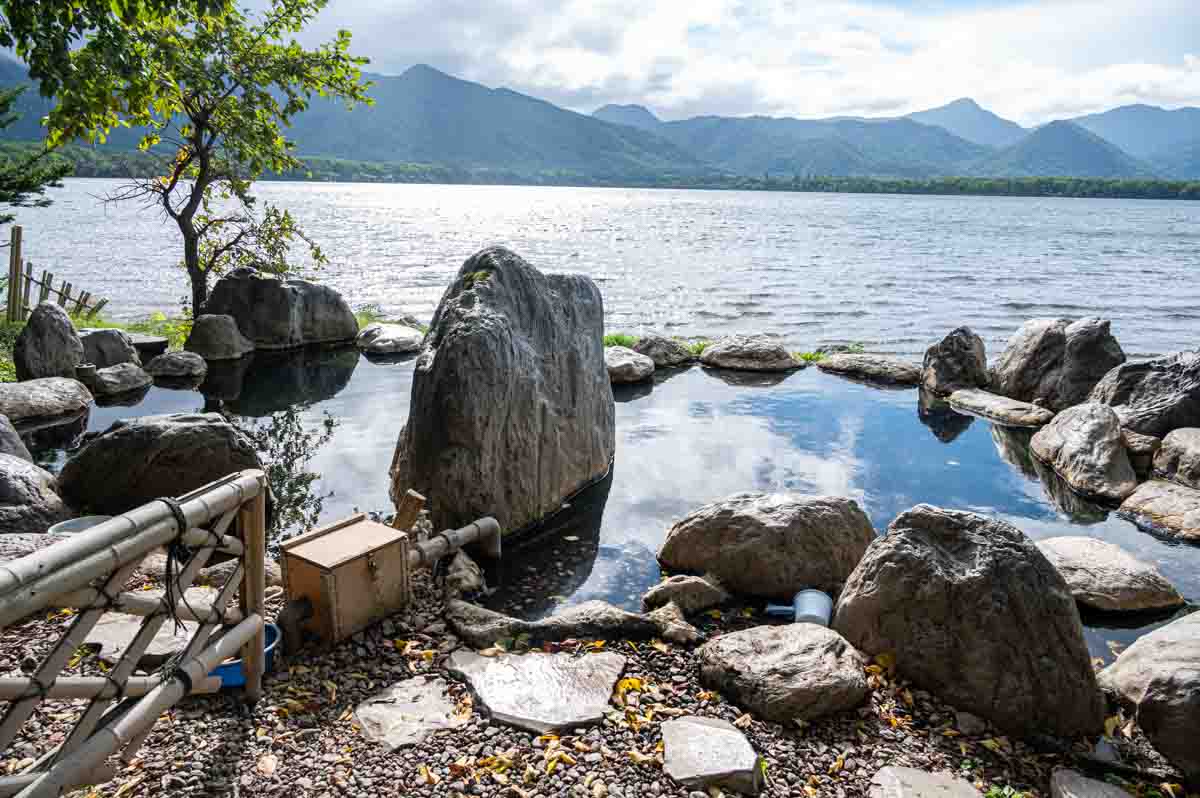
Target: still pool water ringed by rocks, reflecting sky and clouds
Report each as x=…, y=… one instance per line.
x=331, y=421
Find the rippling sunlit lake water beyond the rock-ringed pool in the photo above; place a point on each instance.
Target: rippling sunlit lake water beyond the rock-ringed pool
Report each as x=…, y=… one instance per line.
x=895, y=273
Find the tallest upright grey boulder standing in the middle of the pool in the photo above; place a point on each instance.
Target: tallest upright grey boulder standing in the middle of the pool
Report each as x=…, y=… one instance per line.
x=512, y=409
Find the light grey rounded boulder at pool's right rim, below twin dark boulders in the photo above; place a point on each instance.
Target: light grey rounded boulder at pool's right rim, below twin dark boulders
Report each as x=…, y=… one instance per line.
x=1085, y=447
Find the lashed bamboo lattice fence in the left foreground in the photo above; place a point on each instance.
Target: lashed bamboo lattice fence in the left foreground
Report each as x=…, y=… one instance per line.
x=89, y=572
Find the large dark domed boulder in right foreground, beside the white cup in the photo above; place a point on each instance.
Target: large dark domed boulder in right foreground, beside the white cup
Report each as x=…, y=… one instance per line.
x=974, y=613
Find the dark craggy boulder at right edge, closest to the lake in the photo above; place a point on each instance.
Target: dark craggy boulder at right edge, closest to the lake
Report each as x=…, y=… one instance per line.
x=1155, y=397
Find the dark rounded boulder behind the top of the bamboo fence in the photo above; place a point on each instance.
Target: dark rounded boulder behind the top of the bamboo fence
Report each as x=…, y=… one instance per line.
x=141, y=460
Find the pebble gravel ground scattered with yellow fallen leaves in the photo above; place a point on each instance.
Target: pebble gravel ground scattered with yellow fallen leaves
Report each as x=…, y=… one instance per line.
x=302, y=739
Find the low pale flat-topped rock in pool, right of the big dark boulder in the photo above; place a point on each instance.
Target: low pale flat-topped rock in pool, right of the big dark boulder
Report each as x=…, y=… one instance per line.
x=1107, y=578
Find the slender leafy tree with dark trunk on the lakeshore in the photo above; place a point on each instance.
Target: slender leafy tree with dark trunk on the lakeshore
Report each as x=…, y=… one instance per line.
x=224, y=91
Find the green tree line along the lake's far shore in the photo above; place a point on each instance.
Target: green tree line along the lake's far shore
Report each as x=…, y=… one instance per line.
x=91, y=163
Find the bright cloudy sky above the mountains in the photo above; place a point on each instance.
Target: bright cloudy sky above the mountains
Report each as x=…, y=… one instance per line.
x=1029, y=61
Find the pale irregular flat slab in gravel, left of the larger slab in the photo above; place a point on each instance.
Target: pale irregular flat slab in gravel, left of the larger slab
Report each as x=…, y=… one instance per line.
x=409, y=712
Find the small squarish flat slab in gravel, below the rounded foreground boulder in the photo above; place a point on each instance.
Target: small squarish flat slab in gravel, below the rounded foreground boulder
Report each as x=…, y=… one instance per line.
x=706, y=753
